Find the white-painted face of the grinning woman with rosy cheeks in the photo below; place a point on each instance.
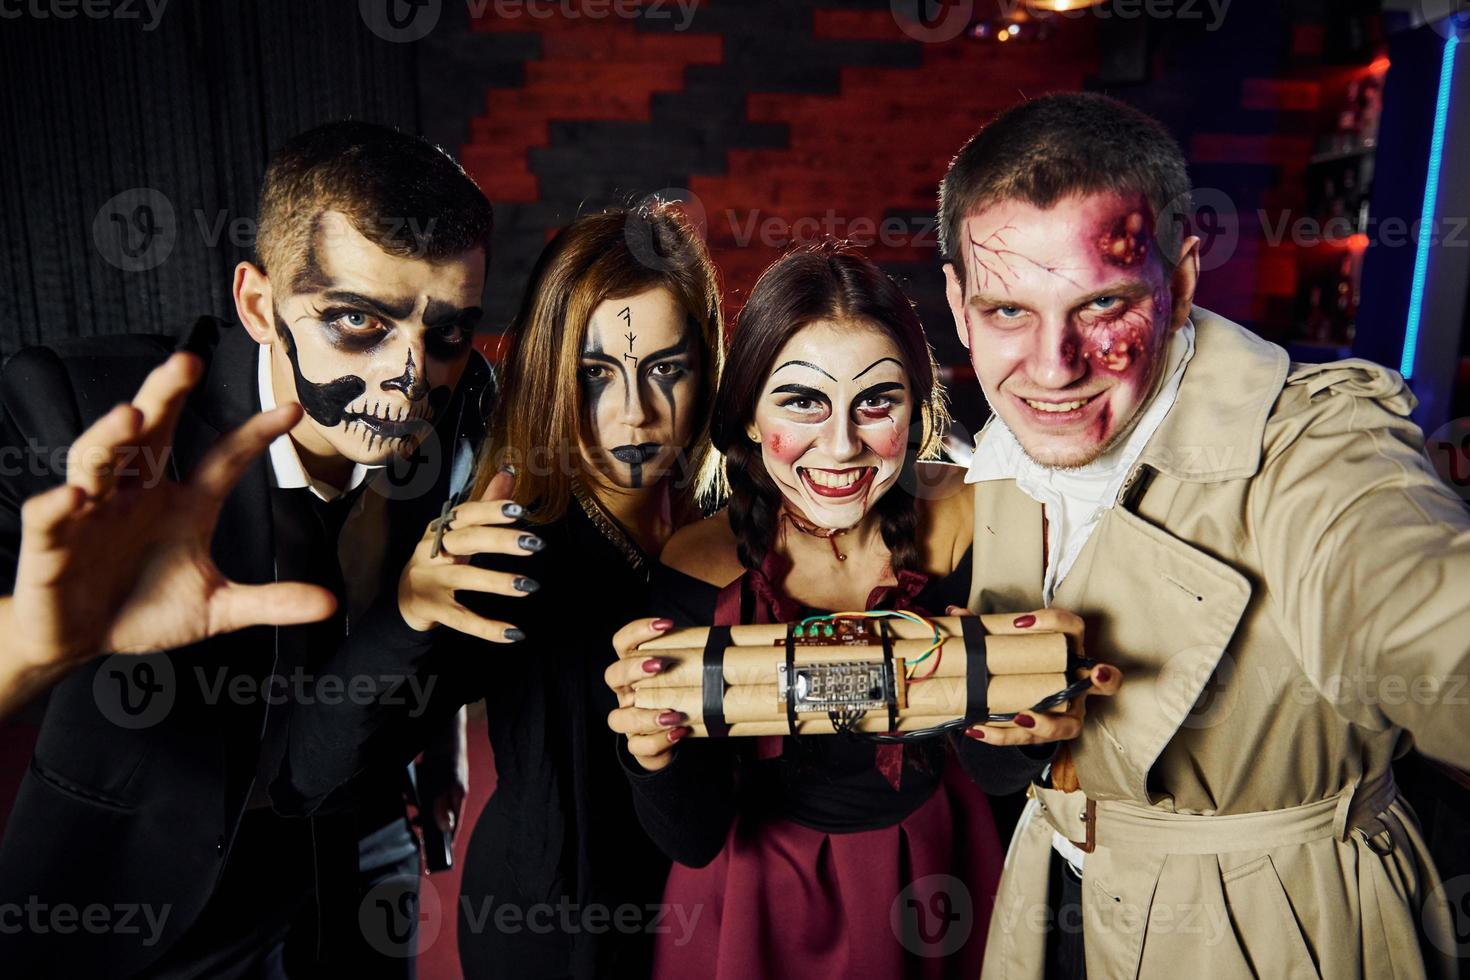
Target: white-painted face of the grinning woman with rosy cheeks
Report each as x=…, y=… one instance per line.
x=833, y=421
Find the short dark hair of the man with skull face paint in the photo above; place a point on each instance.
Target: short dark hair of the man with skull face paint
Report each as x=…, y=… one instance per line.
x=399, y=192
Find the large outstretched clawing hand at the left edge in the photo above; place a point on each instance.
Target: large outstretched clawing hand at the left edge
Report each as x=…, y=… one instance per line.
x=112, y=562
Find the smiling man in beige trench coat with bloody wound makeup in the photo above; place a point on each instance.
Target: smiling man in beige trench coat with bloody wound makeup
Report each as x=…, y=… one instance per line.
x=1259, y=544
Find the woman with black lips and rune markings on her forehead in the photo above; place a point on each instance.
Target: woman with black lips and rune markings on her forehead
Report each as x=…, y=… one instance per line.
x=603, y=417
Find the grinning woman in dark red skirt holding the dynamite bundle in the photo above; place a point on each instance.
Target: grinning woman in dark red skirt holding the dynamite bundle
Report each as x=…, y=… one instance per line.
x=799, y=850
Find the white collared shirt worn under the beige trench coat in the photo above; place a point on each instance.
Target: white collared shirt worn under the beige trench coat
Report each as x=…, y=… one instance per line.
x=1074, y=500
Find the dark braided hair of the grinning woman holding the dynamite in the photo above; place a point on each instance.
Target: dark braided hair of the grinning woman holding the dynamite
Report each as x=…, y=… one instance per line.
x=824, y=283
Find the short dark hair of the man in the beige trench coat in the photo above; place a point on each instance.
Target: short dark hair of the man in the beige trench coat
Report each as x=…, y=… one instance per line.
x=1072, y=143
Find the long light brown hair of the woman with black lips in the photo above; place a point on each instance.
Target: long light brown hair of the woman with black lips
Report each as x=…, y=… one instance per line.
x=598, y=258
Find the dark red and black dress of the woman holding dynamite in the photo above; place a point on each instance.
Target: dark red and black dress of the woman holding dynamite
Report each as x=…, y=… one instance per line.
x=822, y=856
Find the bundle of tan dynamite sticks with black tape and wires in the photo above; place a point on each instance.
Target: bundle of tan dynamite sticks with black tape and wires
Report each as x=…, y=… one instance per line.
x=839, y=665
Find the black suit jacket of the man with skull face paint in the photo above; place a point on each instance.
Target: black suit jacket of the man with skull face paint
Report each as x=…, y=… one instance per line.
x=145, y=765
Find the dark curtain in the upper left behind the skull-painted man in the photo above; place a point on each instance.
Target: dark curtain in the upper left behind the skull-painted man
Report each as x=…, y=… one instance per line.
x=177, y=115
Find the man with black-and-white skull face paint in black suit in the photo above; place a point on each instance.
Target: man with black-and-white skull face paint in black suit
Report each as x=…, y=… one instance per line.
x=158, y=782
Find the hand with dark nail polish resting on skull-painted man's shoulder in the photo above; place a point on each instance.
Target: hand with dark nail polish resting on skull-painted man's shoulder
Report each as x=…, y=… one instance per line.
x=442, y=566
